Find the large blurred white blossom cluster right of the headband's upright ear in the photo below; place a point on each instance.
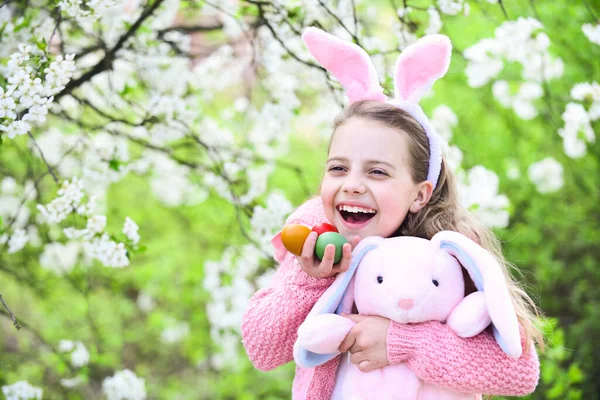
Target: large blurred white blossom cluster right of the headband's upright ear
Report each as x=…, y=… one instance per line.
x=517, y=41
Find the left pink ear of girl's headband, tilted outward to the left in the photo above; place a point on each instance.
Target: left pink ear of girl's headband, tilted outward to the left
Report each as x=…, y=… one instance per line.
x=347, y=62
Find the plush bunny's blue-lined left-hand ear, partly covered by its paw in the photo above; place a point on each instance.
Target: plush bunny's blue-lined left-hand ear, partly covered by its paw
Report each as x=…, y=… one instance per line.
x=338, y=298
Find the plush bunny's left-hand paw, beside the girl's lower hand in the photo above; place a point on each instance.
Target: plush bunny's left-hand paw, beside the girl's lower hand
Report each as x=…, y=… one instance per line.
x=323, y=333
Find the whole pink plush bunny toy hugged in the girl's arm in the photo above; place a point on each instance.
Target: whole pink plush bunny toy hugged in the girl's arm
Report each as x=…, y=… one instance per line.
x=409, y=280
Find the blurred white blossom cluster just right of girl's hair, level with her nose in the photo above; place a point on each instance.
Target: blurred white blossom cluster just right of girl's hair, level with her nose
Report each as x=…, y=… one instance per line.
x=478, y=190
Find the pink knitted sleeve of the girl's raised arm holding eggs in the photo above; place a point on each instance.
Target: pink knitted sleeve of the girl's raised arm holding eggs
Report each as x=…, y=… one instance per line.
x=273, y=315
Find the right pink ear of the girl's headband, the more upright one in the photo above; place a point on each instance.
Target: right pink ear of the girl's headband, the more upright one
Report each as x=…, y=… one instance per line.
x=420, y=65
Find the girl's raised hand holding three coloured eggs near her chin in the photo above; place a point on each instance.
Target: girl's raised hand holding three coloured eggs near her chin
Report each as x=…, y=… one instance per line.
x=324, y=268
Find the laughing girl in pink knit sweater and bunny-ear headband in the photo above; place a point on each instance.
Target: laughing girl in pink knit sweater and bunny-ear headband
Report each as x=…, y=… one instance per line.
x=384, y=176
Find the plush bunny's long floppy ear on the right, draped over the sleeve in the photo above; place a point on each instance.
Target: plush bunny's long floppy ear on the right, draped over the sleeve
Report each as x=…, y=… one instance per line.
x=488, y=278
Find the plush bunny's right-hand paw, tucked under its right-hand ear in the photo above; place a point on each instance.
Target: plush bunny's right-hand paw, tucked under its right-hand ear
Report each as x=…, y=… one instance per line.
x=470, y=317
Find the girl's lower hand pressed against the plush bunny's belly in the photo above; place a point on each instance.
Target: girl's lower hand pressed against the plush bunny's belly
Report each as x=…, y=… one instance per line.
x=367, y=341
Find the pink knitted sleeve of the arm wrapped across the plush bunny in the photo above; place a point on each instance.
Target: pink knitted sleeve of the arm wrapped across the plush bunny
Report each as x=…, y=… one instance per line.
x=475, y=365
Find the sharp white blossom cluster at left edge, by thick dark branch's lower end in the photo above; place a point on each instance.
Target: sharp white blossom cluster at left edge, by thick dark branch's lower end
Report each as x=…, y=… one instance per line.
x=26, y=98
